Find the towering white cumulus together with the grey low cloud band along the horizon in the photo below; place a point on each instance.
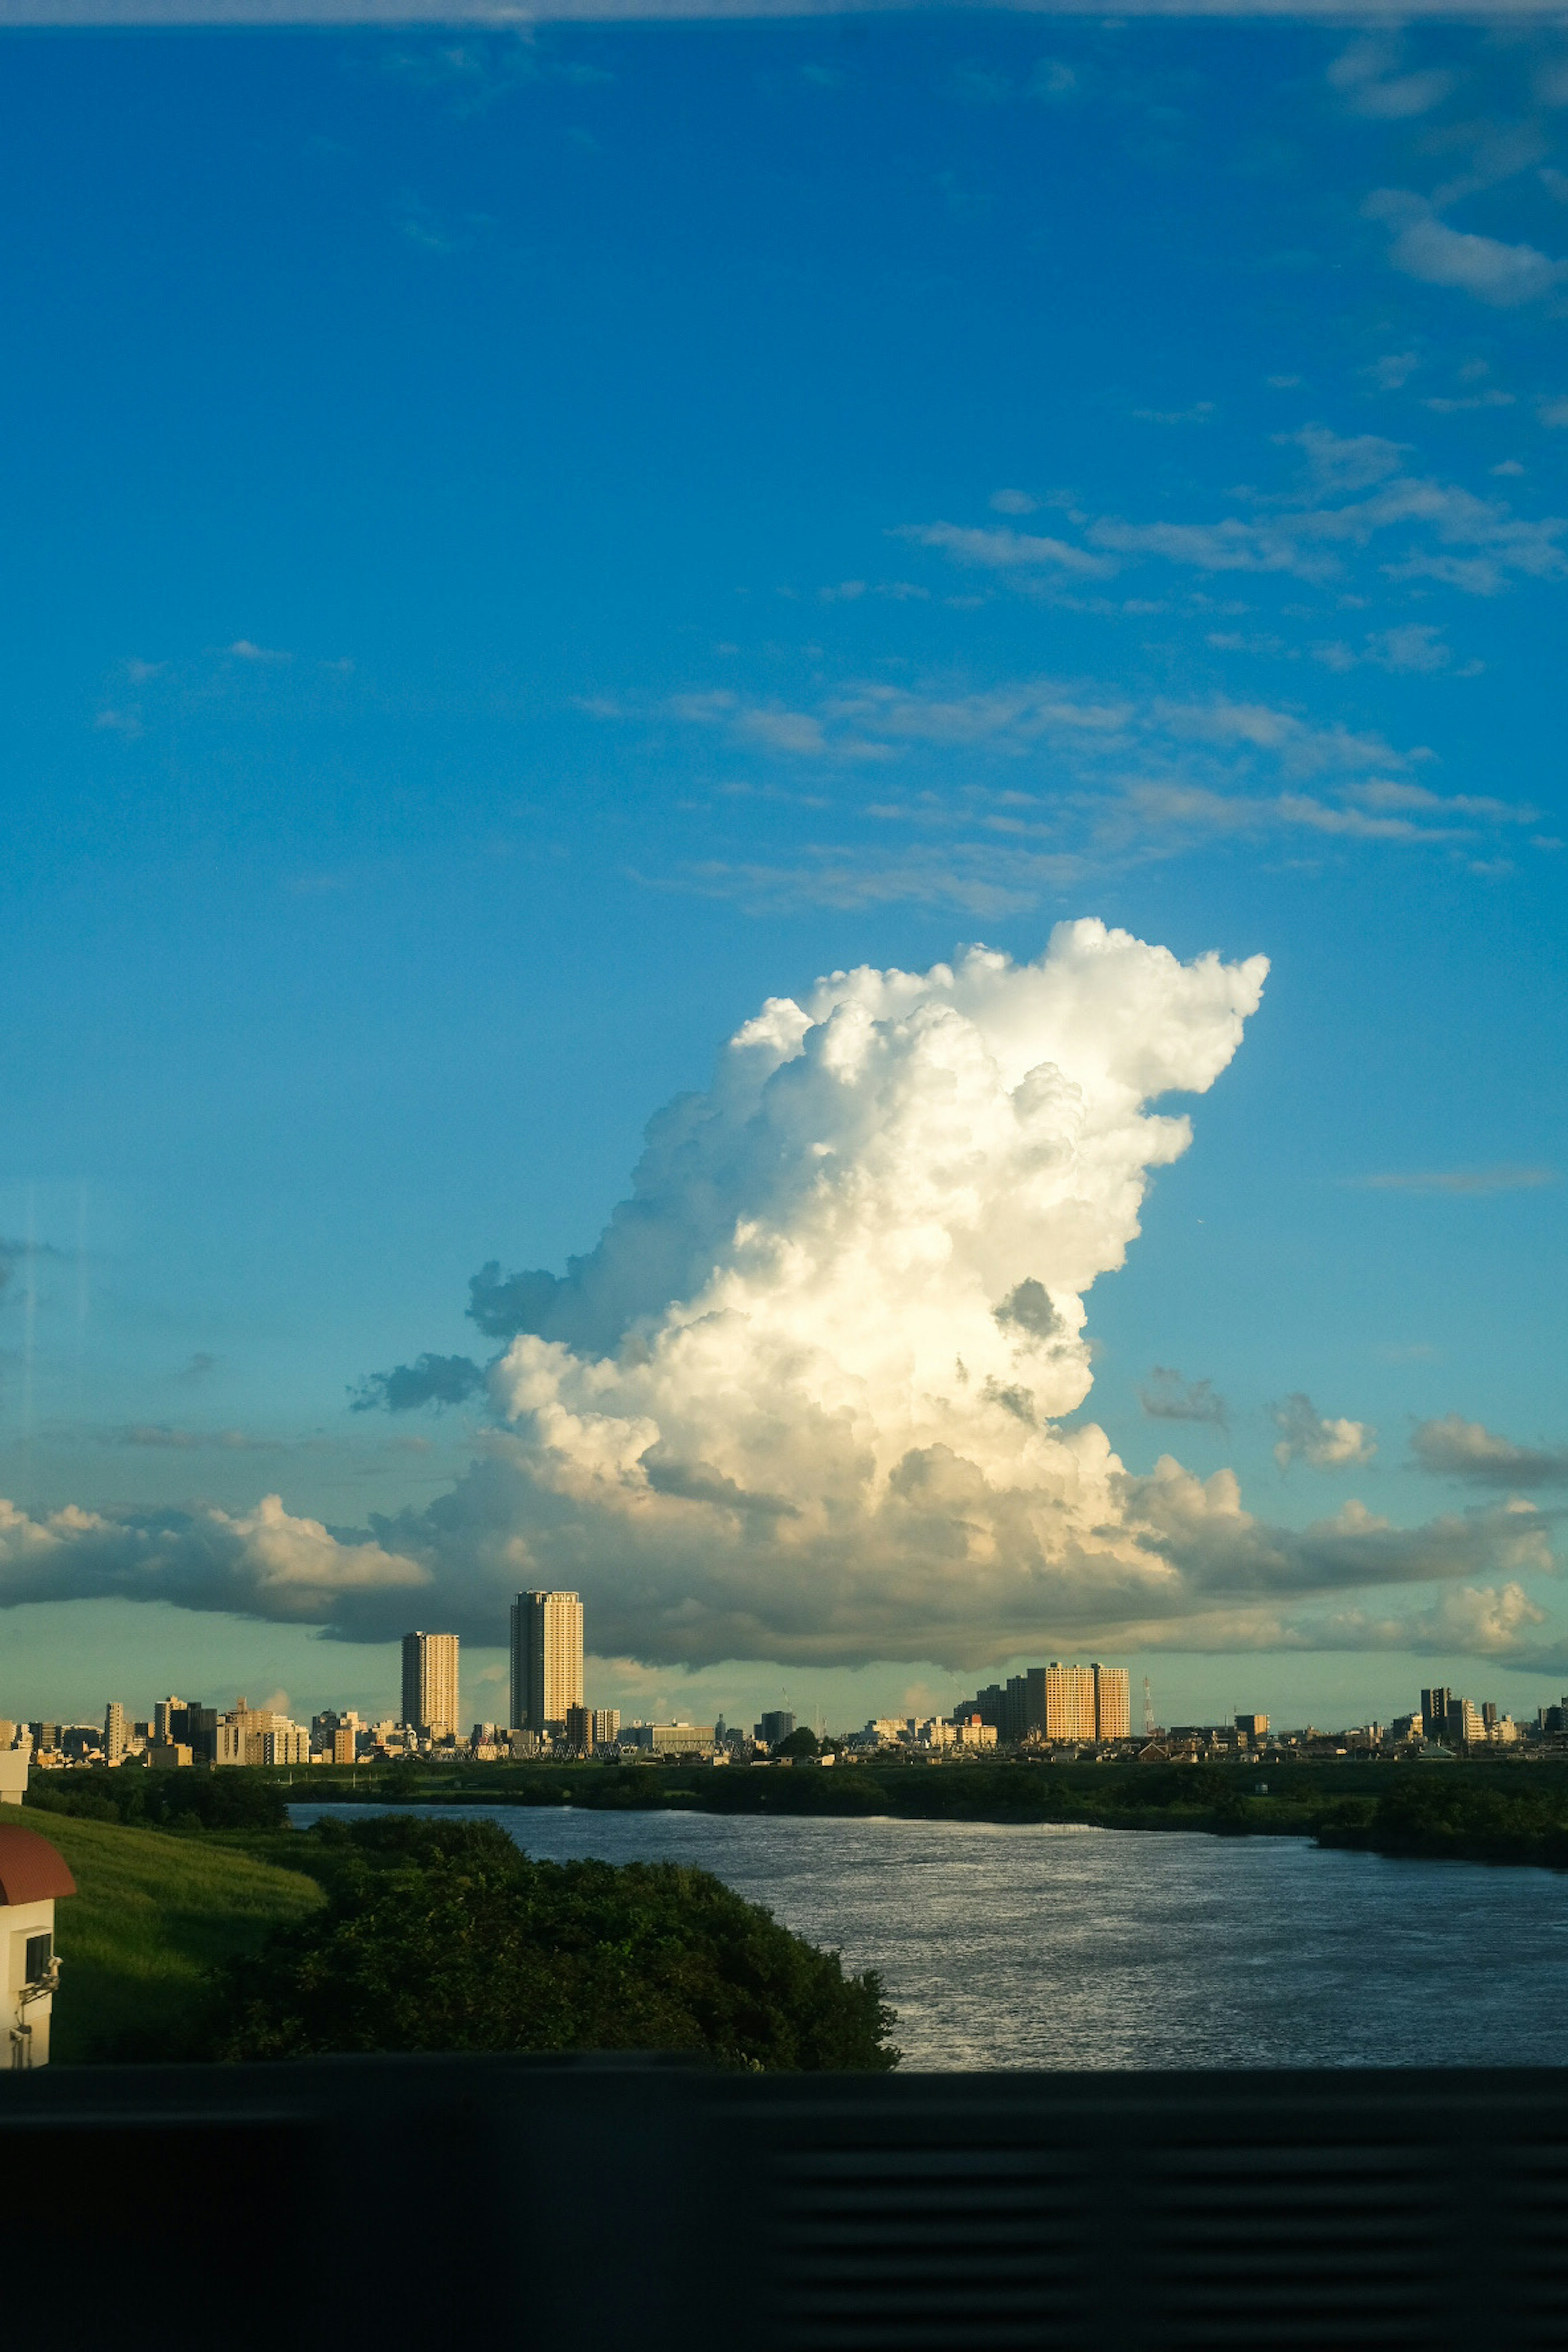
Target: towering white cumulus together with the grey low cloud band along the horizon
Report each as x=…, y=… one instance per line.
x=805, y=1401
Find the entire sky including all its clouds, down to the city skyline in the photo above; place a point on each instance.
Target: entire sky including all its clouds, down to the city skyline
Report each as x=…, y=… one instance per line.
x=970, y=655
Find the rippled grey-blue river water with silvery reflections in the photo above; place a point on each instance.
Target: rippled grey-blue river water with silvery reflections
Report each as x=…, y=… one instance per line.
x=1130, y=1949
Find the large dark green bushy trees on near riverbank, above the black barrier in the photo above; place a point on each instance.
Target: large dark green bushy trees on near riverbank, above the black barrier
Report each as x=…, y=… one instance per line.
x=443, y=1937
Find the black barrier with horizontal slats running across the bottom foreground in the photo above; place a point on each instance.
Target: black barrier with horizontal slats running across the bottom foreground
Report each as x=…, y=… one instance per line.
x=634, y=2207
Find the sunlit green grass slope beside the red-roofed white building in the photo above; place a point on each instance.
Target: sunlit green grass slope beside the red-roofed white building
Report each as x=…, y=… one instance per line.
x=149, y=1916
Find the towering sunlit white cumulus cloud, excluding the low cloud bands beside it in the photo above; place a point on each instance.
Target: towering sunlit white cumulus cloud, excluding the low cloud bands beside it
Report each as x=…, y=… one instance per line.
x=838, y=1441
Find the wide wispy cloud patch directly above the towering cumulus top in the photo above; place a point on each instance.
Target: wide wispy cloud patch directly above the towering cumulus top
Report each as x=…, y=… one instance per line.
x=1059, y=780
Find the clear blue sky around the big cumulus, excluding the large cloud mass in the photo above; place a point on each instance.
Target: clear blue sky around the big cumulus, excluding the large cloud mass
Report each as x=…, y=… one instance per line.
x=521, y=549
